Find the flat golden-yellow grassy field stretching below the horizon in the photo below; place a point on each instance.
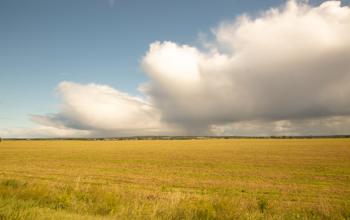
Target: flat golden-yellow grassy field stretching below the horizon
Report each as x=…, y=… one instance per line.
x=176, y=179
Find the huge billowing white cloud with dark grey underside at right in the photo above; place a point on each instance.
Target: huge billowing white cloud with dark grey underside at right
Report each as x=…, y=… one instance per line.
x=290, y=63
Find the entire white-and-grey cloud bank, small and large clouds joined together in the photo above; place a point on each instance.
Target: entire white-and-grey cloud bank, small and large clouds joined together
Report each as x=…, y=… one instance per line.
x=286, y=71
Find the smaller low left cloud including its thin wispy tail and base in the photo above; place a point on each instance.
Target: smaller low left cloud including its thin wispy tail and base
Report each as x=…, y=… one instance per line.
x=103, y=111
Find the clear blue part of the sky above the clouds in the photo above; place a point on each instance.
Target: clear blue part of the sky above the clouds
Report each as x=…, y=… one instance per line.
x=45, y=42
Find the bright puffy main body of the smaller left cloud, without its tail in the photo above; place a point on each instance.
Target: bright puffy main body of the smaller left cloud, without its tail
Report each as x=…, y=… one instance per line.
x=104, y=108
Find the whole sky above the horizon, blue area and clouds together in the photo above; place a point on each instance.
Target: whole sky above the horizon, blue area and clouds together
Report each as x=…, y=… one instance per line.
x=97, y=68
